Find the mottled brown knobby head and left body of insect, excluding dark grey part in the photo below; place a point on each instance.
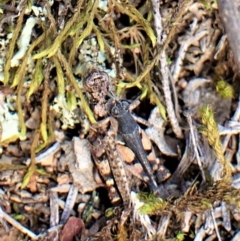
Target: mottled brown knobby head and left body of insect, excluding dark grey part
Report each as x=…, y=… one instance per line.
x=106, y=158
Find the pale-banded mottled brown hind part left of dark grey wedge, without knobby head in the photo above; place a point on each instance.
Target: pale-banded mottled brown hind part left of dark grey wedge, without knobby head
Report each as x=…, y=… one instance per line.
x=108, y=161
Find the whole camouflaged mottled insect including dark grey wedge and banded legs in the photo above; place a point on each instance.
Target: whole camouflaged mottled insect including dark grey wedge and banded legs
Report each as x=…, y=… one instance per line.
x=107, y=154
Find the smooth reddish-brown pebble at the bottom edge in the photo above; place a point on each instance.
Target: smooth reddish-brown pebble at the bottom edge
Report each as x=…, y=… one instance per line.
x=73, y=227
